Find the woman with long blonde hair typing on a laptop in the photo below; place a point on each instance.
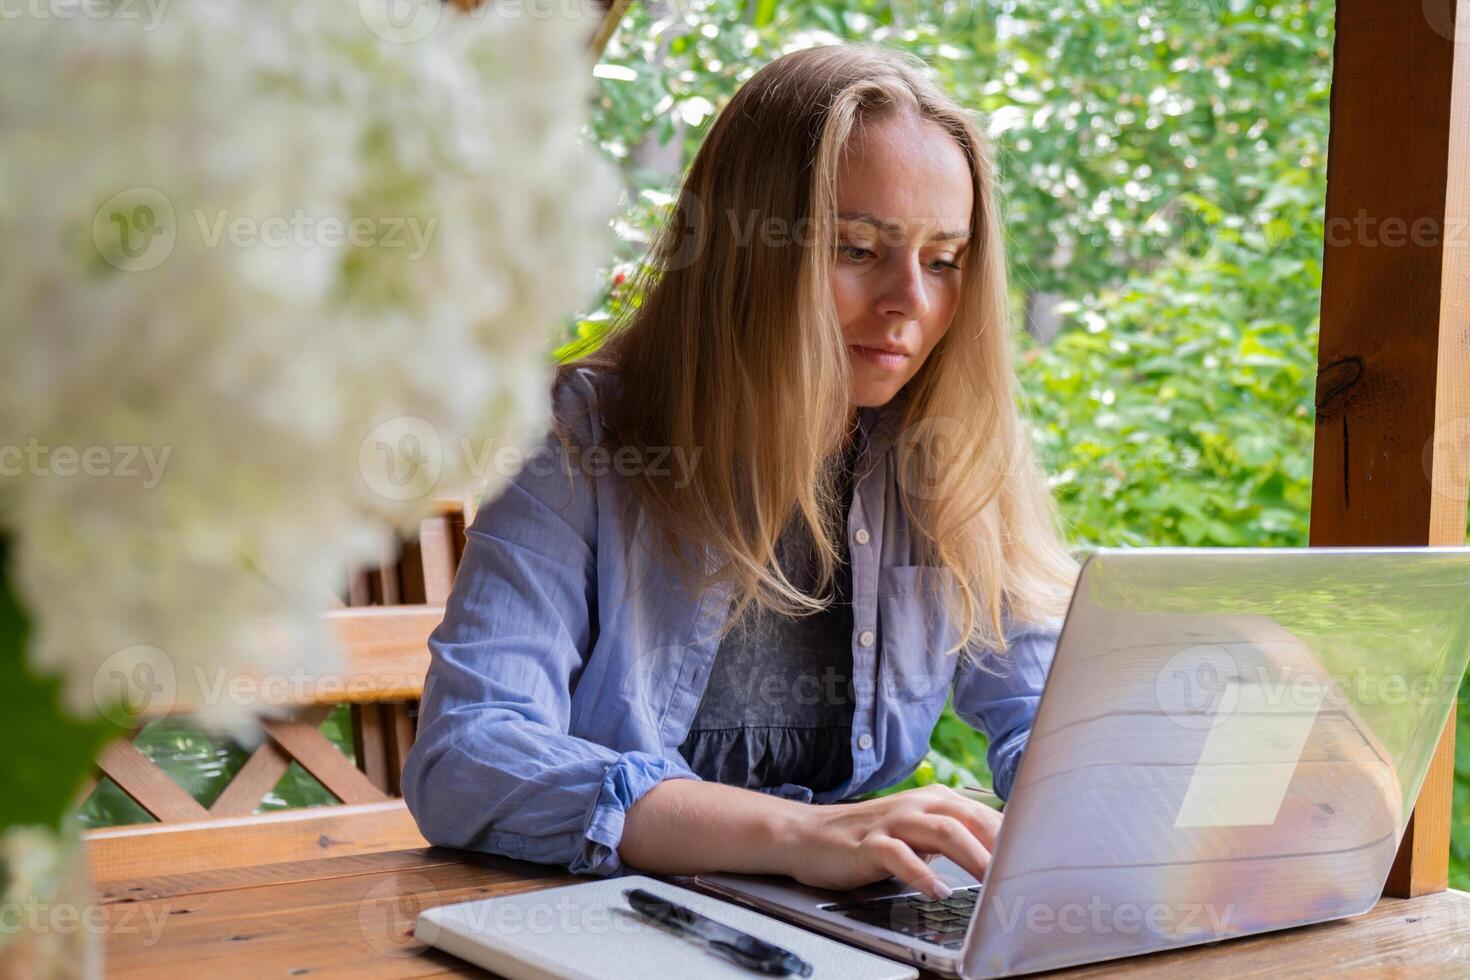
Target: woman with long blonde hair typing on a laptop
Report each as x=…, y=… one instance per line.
x=787, y=509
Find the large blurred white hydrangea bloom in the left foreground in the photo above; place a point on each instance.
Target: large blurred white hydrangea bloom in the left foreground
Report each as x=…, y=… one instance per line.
x=233, y=245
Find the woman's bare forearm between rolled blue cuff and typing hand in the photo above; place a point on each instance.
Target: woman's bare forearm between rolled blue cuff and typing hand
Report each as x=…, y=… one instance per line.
x=687, y=826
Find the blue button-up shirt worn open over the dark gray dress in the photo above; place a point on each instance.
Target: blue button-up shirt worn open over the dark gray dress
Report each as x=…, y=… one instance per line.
x=570, y=666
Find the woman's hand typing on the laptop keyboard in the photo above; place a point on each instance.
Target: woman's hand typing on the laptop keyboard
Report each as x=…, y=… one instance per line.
x=845, y=846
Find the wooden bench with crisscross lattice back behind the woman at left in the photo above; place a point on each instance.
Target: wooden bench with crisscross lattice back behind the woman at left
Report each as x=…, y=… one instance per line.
x=383, y=630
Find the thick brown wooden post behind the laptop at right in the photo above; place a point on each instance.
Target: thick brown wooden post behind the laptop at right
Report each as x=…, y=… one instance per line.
x=1391, y=464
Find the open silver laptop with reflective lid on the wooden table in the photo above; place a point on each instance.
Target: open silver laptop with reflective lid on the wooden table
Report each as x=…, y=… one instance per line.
x=1230, y=743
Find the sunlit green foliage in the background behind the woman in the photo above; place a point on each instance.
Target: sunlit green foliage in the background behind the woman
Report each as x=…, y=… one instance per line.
x=1164, y=171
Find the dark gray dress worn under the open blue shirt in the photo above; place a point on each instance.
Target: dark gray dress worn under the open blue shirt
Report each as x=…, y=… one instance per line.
x=778, y=707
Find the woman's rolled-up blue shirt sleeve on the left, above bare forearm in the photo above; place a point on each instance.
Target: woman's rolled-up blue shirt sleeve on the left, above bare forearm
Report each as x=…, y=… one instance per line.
x=495, y=768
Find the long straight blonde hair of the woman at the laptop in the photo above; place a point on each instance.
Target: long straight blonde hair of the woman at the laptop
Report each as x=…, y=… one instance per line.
x=737, y=352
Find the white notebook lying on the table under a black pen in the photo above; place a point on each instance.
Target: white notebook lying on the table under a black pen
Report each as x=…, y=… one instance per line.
x=587, y=931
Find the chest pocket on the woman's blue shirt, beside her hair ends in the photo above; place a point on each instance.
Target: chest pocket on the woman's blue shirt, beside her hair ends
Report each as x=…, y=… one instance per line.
x=915, y=633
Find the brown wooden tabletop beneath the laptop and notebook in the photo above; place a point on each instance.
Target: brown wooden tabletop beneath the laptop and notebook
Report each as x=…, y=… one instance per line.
x=354, y=916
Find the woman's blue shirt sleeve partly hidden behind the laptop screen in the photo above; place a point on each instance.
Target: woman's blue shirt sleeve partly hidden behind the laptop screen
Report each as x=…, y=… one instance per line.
x=999, y=696
